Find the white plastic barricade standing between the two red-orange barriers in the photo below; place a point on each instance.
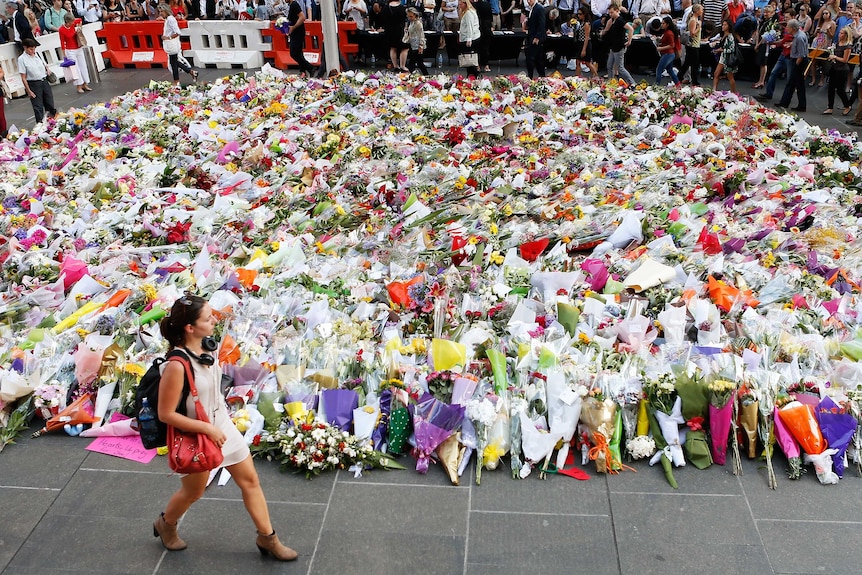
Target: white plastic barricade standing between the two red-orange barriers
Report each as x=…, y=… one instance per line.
x=227, y=43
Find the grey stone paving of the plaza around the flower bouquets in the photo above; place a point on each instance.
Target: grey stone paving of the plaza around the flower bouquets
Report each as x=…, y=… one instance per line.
x=65, y=510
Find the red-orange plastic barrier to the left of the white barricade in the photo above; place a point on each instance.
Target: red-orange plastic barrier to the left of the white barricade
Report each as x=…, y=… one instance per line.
x=136, y=44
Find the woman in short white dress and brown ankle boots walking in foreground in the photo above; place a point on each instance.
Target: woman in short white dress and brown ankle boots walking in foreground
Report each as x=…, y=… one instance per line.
x=190, y=321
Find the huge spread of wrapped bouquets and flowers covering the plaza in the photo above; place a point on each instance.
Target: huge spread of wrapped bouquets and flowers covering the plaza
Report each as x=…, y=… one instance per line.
x=547, y=277
